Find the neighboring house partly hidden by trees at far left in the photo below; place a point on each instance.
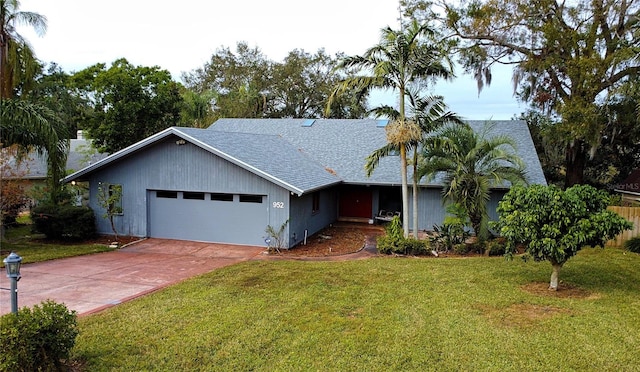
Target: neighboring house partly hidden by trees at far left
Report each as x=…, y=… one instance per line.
x=33, y=168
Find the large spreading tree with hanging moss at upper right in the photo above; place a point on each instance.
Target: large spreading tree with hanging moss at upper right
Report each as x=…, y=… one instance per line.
x=565, y=55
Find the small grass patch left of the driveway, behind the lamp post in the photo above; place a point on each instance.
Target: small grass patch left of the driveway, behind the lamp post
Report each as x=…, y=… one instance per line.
x=34, y=248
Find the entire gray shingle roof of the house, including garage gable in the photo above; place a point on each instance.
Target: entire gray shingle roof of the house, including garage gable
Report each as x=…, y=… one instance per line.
x=303, y=155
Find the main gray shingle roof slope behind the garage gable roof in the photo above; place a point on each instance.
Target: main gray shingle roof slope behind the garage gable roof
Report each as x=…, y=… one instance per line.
x=343, y=144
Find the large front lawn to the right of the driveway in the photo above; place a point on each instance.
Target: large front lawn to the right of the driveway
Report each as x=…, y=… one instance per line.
x=381, y=314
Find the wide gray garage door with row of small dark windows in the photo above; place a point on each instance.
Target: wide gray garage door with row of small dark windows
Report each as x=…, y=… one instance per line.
x=208, y=217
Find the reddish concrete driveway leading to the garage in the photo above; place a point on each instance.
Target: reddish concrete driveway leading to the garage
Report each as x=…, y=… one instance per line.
x=91, y=283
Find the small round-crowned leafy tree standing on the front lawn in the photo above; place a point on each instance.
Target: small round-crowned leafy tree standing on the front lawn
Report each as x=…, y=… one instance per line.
x=554, y=224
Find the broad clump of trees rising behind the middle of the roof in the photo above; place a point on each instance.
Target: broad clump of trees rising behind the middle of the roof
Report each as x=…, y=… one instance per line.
x=247, y=84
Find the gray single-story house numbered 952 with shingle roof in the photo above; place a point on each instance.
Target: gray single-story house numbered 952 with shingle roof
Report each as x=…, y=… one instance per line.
x=229, y=182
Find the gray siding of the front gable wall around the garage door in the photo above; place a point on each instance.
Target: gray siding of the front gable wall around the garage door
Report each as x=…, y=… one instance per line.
x=171, y=167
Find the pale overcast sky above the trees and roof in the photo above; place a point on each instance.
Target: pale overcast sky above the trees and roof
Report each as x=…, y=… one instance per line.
x=181, y=36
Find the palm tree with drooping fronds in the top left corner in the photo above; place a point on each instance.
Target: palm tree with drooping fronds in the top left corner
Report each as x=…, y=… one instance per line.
x=18, y=64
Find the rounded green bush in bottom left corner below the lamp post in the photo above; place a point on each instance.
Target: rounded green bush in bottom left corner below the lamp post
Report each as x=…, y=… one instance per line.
x=38, y=339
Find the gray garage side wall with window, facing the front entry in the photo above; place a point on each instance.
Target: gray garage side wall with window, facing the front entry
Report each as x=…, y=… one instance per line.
x=305, y=220
